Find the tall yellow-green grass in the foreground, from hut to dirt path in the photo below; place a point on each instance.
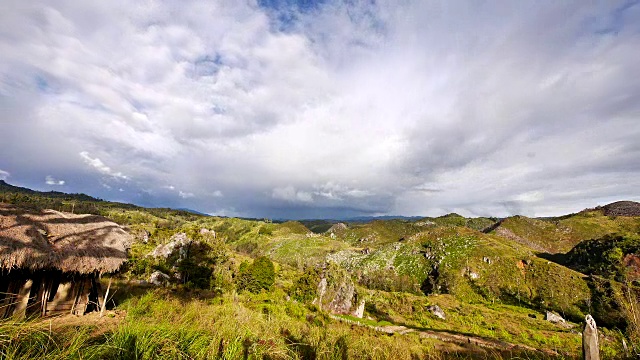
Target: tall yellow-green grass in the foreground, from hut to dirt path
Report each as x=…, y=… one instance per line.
x=159, y=326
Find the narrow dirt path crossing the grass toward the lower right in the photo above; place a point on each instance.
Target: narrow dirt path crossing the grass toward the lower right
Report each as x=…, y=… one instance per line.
x=452, y=337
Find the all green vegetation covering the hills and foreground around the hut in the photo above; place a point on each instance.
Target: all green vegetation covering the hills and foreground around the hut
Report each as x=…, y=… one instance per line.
x=242, y=288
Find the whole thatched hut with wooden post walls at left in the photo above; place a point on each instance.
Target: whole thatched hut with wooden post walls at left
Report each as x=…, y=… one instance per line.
x=51, y=262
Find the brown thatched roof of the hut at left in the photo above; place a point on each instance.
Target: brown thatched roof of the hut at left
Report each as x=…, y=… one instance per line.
x=50, y=239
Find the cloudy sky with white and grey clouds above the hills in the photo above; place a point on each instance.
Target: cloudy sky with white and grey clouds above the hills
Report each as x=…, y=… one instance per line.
x=305, y=109
